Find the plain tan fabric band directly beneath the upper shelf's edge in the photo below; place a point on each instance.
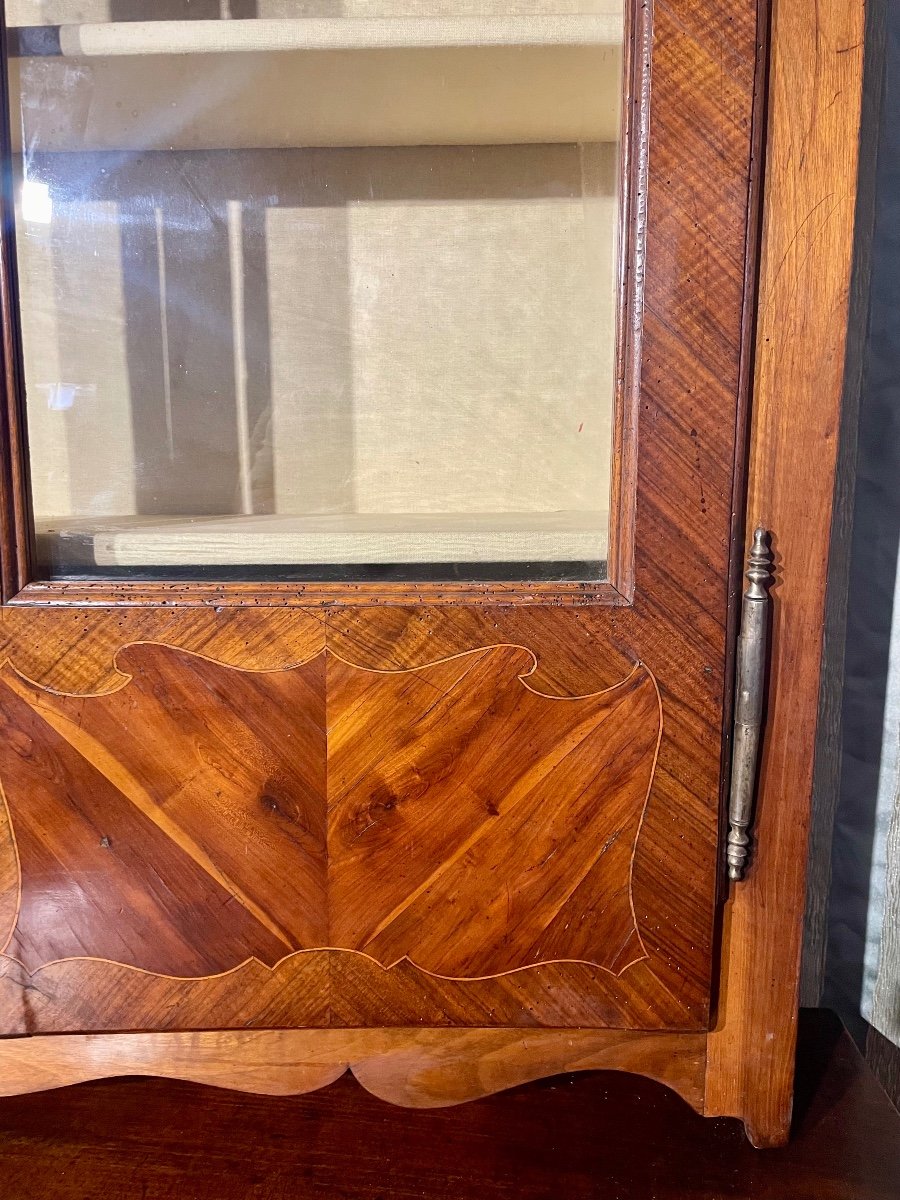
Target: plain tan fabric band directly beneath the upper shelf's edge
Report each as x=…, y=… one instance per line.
x=446, y=97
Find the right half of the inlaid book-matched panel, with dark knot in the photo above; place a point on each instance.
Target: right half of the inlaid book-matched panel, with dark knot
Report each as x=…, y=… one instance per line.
x=485, y=827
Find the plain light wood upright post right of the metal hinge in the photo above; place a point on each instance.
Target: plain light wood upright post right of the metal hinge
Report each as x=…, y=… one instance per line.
x=808, y=236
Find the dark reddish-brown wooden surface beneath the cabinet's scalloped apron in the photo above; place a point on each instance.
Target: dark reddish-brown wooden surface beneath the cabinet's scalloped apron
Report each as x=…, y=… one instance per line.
x=603, y=1136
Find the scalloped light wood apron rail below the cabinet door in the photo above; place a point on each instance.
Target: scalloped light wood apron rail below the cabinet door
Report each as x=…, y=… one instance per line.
x=416, y=1069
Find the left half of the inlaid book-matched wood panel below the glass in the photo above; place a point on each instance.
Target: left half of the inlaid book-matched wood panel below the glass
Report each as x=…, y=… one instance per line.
x=182, y=818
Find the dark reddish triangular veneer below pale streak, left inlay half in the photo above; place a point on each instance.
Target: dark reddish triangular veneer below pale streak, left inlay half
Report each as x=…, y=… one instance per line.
x=98, y=877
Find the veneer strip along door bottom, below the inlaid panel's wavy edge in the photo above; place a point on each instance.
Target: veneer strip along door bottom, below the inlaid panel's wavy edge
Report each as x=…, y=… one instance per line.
x=328, y=988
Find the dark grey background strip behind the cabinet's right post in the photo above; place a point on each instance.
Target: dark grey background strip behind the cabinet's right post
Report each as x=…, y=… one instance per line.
x=868, y=715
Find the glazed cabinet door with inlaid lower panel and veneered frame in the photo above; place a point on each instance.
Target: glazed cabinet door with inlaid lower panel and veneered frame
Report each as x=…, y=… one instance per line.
x=375, y=413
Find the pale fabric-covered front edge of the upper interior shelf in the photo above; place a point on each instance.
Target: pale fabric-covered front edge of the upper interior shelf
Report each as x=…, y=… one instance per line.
x=116, y=39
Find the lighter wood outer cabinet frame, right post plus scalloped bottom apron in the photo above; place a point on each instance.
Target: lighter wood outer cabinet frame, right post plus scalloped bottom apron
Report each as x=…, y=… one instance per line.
x=745, y=1067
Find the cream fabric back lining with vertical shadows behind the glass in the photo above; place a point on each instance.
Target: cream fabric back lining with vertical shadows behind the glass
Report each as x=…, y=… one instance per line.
x=424, y=332
